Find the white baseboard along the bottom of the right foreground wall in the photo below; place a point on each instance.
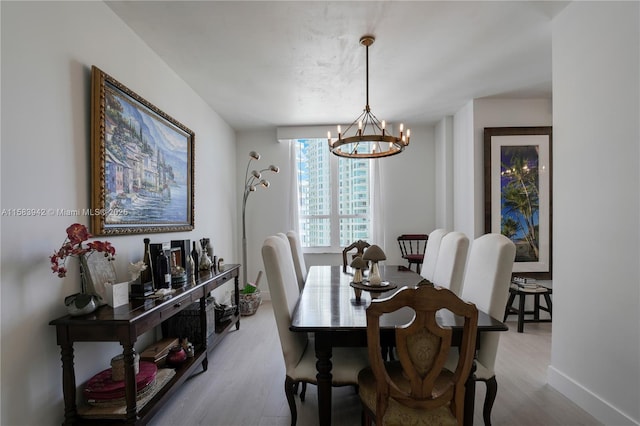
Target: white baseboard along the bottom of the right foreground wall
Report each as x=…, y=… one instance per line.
x=587, y=400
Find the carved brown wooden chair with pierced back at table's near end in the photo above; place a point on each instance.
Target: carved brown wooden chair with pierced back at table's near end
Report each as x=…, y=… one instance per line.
x=417, y=389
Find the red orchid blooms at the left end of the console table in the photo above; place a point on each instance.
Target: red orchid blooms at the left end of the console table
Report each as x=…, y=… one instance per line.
x=72, y=246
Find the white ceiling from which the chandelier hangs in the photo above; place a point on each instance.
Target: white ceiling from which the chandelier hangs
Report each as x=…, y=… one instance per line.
x=277, y=63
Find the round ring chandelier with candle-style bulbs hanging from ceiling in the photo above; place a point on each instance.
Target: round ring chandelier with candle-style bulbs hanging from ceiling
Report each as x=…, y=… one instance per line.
x=355, y=142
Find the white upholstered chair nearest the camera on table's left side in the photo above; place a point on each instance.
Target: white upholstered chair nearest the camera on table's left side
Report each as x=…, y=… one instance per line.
x=299, y=356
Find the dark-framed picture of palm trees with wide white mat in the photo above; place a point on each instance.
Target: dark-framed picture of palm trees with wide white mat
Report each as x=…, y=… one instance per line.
x=517, y=179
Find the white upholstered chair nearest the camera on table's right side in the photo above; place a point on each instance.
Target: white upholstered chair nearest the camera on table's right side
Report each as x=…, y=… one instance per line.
x=486, y=284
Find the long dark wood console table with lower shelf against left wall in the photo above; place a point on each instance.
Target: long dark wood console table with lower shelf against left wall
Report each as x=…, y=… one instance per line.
x=124, y=324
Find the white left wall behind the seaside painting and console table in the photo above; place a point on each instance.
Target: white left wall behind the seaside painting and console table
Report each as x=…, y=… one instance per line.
x=47, y=52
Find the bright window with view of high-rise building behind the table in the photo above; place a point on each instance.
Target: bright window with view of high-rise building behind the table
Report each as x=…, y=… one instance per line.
x=334, y=202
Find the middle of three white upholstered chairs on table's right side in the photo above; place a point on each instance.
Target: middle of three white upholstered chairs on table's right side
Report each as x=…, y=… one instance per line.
x=452, y=257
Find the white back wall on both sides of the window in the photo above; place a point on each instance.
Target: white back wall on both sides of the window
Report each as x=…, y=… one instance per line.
x=408, y=180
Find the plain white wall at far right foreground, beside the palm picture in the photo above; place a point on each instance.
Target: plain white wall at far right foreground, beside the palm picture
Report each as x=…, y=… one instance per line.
x=595, y=357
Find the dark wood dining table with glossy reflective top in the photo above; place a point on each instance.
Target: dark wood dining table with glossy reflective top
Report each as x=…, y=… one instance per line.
x=328, y=308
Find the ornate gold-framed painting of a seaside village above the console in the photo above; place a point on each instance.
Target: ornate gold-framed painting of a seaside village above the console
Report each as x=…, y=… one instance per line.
x=142, y=164
